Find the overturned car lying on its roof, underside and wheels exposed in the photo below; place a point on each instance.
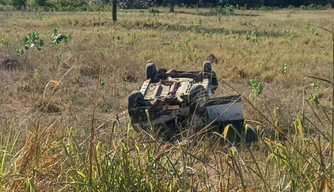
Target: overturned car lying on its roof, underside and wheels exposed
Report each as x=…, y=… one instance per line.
x=173, y=100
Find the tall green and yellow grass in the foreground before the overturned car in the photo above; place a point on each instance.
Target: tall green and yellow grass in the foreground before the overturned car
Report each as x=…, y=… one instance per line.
x=124, y=162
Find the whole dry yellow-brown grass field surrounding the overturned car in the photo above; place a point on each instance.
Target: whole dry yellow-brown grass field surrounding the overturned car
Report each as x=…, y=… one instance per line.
x=52, y=99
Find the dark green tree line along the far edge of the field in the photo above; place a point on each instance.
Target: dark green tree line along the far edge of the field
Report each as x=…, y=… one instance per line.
x=84, y=5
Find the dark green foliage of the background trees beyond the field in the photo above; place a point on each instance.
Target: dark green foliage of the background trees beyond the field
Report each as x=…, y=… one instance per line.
x=224, y=6
